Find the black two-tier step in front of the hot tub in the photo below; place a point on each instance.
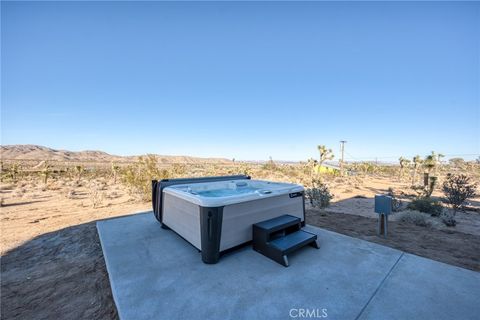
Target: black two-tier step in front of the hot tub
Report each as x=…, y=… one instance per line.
x=280, y=236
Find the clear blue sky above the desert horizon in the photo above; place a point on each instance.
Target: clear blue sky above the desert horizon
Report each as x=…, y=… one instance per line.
x=242, y=80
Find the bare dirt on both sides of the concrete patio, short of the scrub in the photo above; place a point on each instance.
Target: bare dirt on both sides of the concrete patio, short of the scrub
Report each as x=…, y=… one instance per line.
x=52, y=264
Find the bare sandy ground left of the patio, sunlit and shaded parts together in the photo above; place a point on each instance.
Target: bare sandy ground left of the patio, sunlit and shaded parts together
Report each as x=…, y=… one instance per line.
x=52, y=264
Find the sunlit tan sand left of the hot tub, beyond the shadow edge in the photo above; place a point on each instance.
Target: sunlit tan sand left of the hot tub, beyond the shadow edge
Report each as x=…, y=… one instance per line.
x=36, y=212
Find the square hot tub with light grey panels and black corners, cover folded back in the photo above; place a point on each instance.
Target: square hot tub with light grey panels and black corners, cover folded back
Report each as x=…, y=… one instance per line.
x=216, y=214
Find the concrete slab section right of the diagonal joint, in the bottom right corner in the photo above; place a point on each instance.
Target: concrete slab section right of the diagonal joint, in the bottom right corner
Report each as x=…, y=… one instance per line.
x=420, y=288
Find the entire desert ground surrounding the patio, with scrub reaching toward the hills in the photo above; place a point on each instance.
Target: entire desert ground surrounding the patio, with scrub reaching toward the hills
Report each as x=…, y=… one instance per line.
x=52, y=264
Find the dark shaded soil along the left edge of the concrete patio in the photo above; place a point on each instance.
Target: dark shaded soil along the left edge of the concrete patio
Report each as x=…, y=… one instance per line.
x=58, y=275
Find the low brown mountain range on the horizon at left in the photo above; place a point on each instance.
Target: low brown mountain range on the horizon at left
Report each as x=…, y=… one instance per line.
x=39, y=153
